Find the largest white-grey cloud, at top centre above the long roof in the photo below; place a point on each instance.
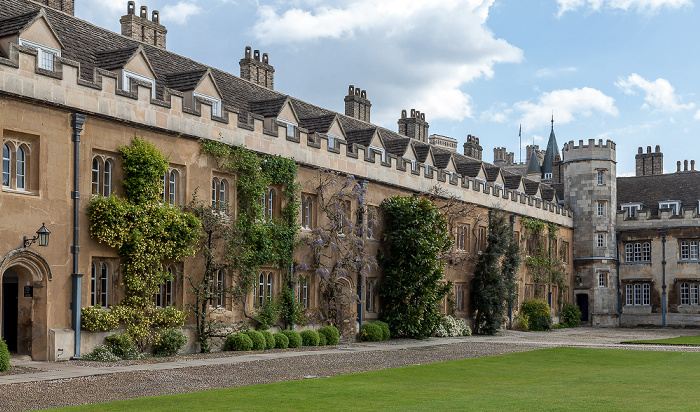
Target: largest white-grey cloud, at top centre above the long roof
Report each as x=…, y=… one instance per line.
x=406, y=53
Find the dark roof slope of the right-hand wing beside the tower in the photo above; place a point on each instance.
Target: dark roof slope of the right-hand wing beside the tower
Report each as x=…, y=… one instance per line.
x=650, y=190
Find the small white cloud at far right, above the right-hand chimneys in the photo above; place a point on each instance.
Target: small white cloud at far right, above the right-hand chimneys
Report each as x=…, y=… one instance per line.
x=660, y=95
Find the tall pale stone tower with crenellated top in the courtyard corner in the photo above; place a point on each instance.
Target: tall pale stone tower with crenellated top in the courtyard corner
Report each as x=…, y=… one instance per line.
x=590, y=188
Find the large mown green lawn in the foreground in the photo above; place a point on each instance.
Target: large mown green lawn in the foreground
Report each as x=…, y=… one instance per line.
x=550, y=379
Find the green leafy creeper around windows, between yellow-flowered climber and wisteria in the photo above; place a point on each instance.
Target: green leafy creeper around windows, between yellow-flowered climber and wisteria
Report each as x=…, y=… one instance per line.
x=254, y=240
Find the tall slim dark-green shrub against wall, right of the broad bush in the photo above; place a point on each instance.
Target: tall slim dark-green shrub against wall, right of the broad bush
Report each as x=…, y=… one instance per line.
x=493, y=284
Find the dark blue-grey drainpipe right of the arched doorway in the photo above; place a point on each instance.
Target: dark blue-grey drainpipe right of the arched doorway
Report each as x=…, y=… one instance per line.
x=77, y=125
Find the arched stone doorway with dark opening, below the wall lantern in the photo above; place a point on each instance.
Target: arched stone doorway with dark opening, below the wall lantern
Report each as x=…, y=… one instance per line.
x=24, y=276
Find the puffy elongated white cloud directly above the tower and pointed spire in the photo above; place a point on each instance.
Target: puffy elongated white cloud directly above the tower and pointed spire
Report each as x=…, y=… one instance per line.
x=567, y=105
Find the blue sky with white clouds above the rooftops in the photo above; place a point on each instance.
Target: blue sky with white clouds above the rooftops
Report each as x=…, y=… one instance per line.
x=624, y=70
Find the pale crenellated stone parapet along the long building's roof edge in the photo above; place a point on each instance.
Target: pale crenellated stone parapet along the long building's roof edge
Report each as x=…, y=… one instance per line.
x=103, y=97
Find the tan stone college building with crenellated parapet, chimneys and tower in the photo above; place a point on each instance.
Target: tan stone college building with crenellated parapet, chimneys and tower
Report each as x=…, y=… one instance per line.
x=72, y=93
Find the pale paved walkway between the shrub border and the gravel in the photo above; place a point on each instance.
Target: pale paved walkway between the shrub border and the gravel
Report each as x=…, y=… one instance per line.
x=576, y=337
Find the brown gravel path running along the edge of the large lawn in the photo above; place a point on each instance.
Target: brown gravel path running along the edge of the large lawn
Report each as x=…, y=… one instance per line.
x=354, y=358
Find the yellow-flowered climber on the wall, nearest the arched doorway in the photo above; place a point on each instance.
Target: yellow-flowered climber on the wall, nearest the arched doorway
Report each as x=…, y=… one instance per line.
x=145, y=233
